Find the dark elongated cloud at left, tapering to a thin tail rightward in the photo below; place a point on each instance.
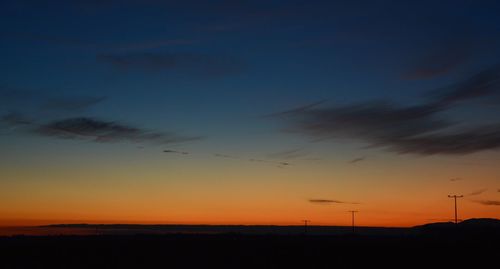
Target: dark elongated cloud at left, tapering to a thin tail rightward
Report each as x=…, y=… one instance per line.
x=105, y=131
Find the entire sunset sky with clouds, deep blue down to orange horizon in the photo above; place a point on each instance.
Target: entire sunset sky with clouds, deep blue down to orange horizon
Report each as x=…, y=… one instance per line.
x=249, y=112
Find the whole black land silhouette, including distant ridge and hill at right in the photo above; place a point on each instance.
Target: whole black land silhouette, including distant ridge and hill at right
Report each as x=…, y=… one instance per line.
x=473, y=243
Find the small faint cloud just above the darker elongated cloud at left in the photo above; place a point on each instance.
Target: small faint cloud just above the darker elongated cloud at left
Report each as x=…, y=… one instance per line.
x=71, y=103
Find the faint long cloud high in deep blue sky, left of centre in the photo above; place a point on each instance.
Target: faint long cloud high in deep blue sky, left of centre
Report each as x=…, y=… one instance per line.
x=191, y=63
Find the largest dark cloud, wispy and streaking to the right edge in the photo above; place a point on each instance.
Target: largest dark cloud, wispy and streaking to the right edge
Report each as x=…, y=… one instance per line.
x=418, y=129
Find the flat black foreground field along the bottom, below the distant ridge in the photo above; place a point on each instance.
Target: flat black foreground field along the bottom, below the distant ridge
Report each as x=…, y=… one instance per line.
x=245, y=251
